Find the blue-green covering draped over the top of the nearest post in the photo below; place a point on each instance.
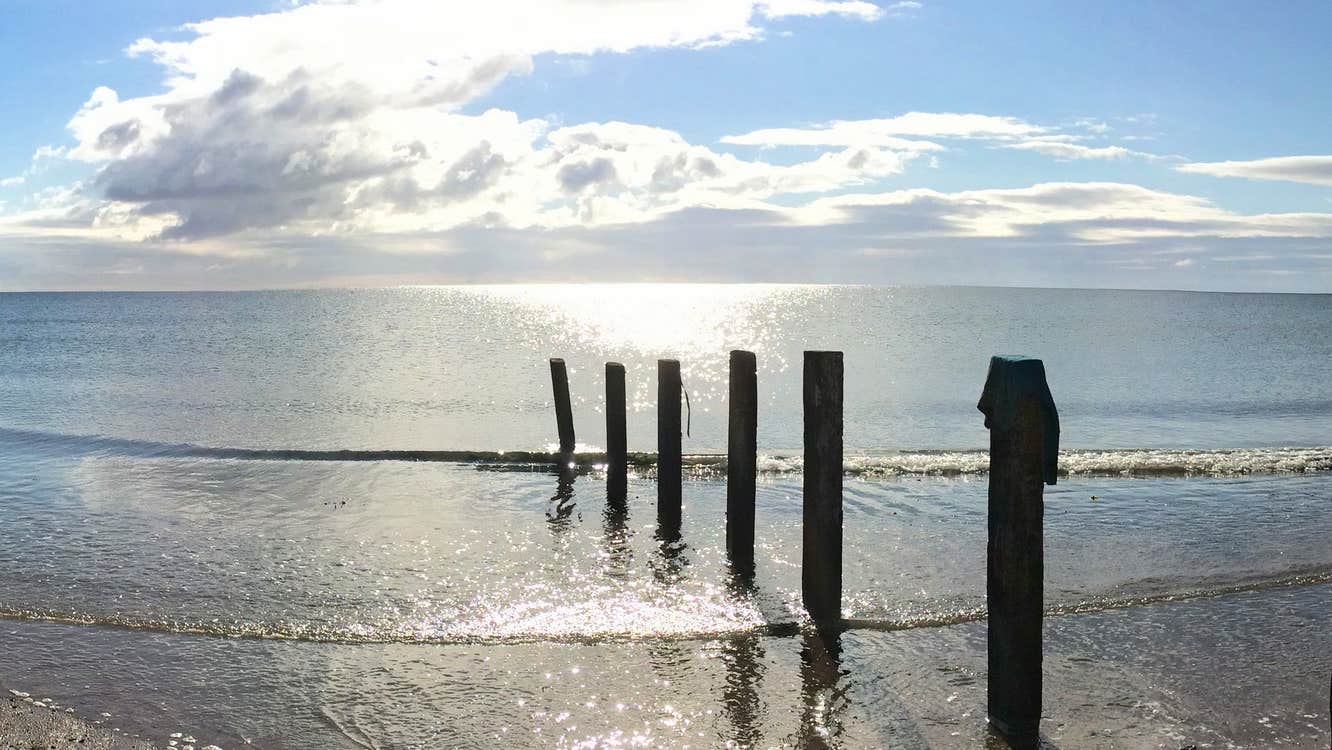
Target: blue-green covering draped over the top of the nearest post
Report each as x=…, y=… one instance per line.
x=1013, y=380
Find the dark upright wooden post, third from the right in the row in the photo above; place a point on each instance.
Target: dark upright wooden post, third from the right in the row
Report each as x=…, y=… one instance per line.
x=743, y=462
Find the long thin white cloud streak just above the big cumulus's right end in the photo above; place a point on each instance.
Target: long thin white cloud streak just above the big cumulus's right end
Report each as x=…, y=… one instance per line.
x=889, y=131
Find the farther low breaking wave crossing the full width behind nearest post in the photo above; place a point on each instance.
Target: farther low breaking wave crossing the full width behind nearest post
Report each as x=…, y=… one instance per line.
x=1116, y=463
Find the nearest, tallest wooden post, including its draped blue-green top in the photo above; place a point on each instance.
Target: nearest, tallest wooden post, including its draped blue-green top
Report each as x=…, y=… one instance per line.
x=1024, y=455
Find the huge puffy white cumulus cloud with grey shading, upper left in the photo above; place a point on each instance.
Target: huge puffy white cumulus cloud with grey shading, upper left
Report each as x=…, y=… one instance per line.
x=344, y=117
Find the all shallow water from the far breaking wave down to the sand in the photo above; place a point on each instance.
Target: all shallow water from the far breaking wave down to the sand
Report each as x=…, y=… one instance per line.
x=444, y=604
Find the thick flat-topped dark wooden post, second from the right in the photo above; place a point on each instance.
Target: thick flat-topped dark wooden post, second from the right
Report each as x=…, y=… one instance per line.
x=821, y=568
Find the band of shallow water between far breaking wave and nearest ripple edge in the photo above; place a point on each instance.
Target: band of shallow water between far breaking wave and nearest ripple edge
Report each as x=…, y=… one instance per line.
x=446, y=552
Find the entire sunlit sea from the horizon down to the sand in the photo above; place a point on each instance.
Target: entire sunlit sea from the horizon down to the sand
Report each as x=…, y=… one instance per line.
x=315, y=519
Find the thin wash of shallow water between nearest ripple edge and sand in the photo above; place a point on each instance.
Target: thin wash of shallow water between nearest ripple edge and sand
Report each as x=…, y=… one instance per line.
x=1239, y=672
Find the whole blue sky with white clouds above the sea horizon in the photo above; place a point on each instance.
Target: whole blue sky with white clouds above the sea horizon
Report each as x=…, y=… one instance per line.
x=367, y=143
